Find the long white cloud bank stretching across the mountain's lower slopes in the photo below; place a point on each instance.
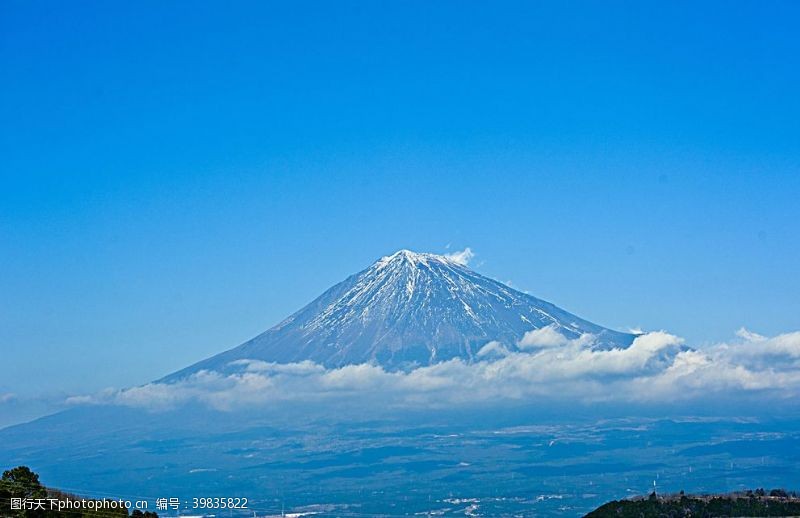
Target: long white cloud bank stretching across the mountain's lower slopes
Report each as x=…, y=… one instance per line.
x=657, y=367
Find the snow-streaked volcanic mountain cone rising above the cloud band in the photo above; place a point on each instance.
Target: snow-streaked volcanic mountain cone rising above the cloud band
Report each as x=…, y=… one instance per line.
x=408, y=309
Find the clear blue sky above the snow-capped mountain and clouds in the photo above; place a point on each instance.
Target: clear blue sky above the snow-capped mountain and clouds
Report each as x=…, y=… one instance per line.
x=177, y=177
